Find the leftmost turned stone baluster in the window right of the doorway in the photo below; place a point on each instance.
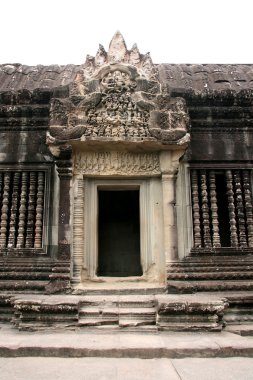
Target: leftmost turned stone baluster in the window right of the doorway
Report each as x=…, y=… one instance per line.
x=196, y=209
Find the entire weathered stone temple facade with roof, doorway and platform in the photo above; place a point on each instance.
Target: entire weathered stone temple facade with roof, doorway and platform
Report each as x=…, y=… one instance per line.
x=126, y=193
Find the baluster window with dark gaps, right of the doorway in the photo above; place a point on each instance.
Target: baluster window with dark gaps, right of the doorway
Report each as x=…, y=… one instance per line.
x=222, y=208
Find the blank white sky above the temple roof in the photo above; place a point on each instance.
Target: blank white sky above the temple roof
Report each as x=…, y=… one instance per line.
x=174, y=31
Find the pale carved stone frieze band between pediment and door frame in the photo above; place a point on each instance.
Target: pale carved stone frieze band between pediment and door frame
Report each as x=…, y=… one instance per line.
x=116, y=163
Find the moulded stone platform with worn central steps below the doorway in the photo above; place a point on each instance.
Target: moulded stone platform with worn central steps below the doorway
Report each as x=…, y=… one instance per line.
x=201, y=311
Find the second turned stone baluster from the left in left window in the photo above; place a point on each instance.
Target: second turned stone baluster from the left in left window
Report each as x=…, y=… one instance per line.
x=14, y=210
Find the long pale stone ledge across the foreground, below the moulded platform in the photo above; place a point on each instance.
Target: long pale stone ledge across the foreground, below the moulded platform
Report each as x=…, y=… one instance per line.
x=119, y=345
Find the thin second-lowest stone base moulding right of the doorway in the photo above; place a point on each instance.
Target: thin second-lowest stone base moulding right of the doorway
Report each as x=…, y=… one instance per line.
x=210, y=276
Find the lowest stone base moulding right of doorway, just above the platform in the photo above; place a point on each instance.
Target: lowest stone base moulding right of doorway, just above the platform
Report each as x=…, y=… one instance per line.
x=207, y=286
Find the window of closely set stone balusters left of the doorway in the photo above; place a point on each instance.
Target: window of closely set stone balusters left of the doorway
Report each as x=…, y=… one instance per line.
x=22, y=195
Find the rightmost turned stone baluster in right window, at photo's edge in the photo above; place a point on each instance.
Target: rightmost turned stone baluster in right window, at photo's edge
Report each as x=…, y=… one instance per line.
x=248, y=206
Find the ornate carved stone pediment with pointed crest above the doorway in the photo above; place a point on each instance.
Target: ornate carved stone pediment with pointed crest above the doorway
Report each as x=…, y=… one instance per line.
x=117, y=96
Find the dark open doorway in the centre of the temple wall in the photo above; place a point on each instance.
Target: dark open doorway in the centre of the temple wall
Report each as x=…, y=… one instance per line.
x=119, y=233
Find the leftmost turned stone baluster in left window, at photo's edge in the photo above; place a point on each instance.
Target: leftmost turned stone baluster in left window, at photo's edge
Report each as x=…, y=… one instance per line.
x=5, y=208
